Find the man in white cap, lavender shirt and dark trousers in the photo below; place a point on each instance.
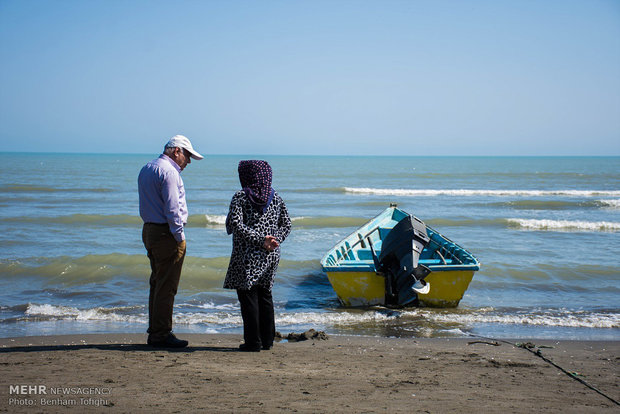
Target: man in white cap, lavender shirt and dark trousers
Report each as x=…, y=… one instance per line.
x=164, y=211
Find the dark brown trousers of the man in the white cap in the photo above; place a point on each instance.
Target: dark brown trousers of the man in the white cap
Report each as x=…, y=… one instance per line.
x=161, y=249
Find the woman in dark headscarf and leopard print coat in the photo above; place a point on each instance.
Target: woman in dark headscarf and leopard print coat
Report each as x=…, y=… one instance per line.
x=259, y=222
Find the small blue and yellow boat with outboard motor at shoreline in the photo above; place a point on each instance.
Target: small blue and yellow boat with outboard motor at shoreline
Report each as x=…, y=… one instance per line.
x=396, y=260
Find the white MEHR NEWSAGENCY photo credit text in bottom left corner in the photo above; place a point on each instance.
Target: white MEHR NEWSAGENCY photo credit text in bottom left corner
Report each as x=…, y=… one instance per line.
x=44, y=396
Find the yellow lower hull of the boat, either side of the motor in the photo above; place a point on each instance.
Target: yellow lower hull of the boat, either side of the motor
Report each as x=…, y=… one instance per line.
x=368, y=288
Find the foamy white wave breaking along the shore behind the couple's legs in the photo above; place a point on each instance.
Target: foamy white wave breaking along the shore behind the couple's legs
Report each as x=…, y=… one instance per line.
x=227, y=316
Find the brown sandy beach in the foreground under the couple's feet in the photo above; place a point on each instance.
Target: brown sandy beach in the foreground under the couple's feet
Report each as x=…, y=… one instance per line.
x=348, y=374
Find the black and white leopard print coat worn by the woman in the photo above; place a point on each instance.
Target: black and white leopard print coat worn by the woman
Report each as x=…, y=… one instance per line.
x=250, y=263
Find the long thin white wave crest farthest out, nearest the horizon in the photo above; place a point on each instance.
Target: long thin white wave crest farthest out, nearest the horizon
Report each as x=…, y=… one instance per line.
x=492, y=193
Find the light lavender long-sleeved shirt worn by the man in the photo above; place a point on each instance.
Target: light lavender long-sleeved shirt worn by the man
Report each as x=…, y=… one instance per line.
x=162, y=195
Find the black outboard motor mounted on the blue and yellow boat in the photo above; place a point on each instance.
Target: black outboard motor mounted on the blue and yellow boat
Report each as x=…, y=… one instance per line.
x=400, y=252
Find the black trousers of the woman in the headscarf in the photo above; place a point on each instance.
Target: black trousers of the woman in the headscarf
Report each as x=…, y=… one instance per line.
x=259, y=326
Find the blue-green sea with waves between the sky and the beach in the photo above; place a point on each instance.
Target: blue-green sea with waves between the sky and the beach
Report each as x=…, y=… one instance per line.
x=546, y=231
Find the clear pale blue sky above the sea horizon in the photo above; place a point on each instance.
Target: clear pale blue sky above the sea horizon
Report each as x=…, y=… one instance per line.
x=312, y=77
